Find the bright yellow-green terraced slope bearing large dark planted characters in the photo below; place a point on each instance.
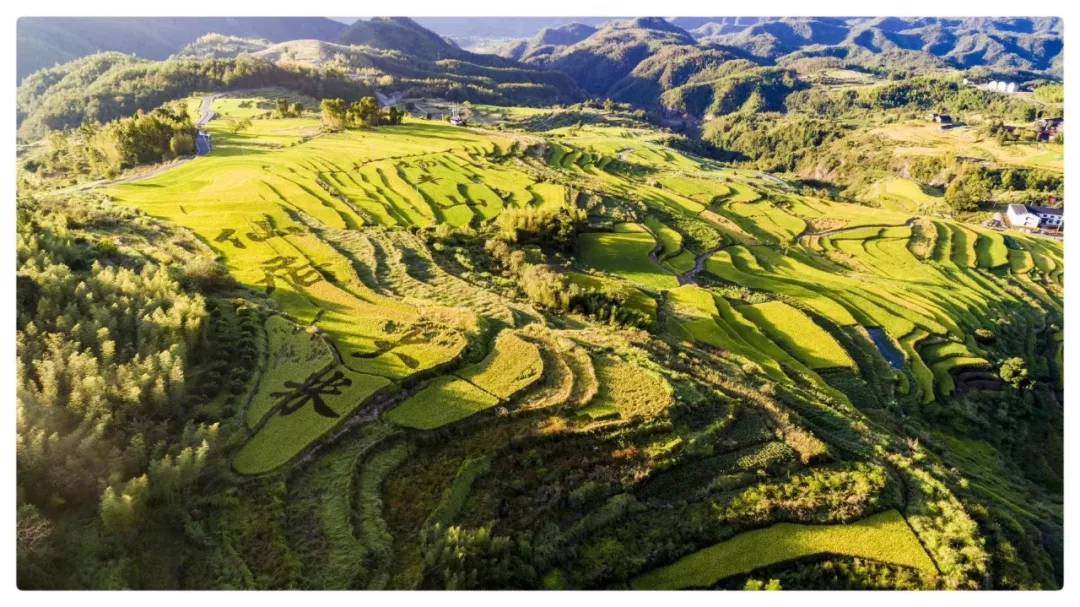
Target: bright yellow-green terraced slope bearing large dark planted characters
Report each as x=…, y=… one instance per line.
x=261, y=200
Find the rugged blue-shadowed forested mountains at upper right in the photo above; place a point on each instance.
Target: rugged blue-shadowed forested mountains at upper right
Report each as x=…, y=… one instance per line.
x=715, y=66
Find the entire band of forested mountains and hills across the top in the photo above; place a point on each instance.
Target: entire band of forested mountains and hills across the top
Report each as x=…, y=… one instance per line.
x=695, y=68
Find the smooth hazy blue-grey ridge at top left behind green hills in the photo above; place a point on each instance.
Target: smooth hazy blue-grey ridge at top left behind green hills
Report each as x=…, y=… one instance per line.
x=47, y=42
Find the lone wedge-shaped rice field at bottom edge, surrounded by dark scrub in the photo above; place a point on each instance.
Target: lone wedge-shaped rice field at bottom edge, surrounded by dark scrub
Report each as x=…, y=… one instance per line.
x=883, y=537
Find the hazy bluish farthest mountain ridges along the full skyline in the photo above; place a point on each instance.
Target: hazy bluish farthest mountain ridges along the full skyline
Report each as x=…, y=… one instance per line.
x=1027, y=44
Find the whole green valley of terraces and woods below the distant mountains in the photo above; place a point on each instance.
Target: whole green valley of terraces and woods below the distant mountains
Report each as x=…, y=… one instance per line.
x=539, y=346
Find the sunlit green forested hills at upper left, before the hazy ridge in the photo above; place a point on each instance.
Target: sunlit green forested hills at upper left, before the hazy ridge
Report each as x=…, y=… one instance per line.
x=391, y=55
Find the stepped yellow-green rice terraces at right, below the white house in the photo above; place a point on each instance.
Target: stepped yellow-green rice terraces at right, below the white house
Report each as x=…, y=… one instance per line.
x=882, y=284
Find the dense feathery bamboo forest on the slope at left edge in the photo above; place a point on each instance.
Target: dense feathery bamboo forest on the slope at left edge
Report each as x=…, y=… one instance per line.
x=118, y=350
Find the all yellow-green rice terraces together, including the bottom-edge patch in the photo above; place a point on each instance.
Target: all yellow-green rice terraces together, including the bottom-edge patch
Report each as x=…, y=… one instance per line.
x=372, y=326
